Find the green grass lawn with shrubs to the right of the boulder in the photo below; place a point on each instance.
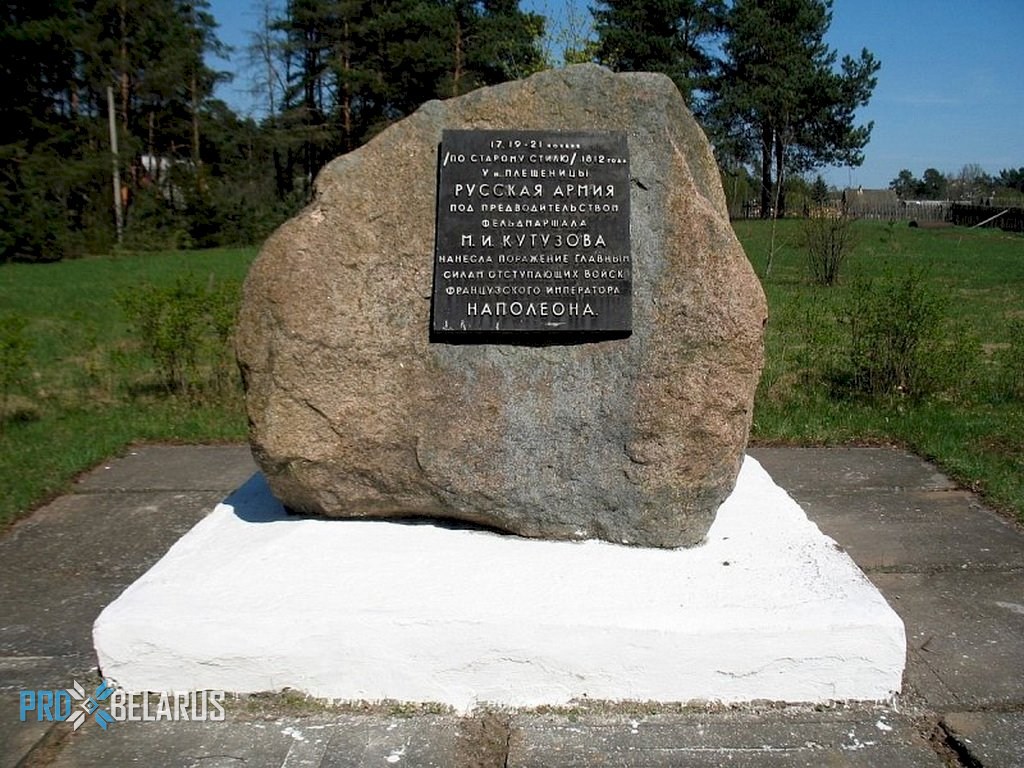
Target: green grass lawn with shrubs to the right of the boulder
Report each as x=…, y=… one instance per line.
x=971, y=421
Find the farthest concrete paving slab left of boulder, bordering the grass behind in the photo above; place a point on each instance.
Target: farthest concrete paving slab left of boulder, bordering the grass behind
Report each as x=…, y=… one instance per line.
x=148, y=467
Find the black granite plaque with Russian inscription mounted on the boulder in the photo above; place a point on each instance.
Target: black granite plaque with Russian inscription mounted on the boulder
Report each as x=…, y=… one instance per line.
x=533, y=234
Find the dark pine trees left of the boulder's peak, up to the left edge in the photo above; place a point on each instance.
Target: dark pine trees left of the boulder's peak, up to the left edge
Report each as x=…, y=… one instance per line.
x=191, y=172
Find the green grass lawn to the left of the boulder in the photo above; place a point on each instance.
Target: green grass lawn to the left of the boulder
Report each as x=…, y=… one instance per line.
x=89, y=392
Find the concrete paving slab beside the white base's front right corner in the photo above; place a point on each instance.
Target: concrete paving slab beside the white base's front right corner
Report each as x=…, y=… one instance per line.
x=967, y=627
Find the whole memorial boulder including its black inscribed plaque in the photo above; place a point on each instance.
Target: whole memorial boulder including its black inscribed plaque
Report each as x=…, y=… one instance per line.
x=386, y=378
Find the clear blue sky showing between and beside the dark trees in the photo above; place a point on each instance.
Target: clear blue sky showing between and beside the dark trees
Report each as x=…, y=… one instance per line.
x=951, y=91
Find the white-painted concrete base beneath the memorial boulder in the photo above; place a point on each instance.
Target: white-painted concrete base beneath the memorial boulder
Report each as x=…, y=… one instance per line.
x=251, y=601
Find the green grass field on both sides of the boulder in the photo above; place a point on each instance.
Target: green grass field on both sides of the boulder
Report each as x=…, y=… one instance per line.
x=89, y=390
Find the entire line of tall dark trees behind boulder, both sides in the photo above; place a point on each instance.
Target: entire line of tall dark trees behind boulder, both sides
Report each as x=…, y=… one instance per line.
x=329, y=75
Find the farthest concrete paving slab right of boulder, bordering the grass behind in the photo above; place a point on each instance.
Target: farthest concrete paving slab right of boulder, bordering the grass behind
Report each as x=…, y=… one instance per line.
x=841, y=470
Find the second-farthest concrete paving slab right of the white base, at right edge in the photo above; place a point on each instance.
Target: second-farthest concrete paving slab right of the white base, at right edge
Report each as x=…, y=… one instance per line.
x=917, y=530
